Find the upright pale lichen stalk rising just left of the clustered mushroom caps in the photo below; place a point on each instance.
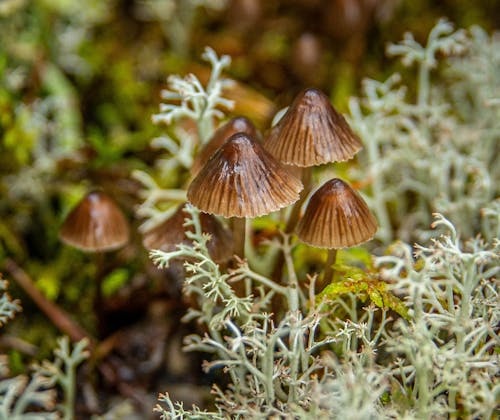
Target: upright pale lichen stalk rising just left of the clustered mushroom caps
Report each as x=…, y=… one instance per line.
x=192, y=101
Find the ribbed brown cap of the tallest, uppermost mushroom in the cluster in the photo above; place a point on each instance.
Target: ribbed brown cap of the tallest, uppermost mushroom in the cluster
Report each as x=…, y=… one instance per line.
x=312, y=133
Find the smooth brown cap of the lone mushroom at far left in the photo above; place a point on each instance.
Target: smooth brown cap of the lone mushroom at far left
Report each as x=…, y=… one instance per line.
x=95, y=224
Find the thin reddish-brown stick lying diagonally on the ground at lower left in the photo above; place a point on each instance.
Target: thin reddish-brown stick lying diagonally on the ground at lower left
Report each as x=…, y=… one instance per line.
x=60, y=318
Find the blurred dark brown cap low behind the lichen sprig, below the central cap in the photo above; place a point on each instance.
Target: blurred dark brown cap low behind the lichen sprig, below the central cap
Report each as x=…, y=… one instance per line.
x=172, y=231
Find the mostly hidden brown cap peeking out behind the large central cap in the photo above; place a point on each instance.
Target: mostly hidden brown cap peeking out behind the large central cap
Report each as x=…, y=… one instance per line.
x=233, y=126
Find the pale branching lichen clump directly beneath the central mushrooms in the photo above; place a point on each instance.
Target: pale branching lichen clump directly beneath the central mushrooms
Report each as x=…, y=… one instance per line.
x=268, y=361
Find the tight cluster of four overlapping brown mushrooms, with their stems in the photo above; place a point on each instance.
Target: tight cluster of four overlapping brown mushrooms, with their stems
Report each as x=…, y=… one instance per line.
x=236, y=177
